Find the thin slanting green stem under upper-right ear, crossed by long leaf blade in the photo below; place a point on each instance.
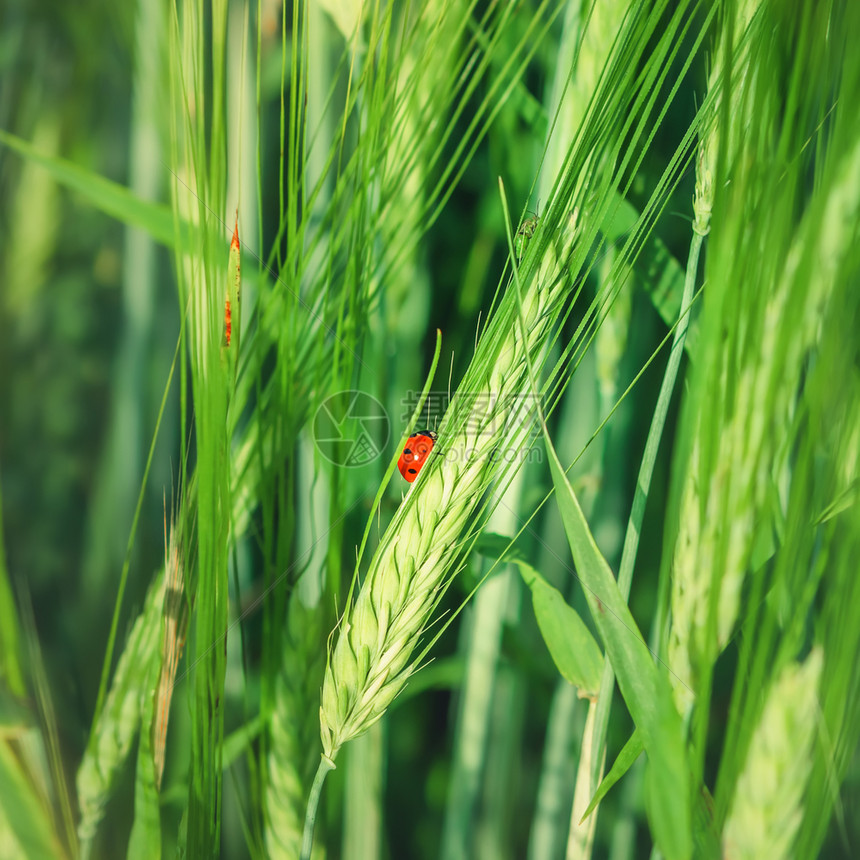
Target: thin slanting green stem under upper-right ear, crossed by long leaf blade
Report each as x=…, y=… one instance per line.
x=643, y=484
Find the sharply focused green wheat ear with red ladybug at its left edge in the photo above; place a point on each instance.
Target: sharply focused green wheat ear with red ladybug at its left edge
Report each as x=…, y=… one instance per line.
x=372, y=657
